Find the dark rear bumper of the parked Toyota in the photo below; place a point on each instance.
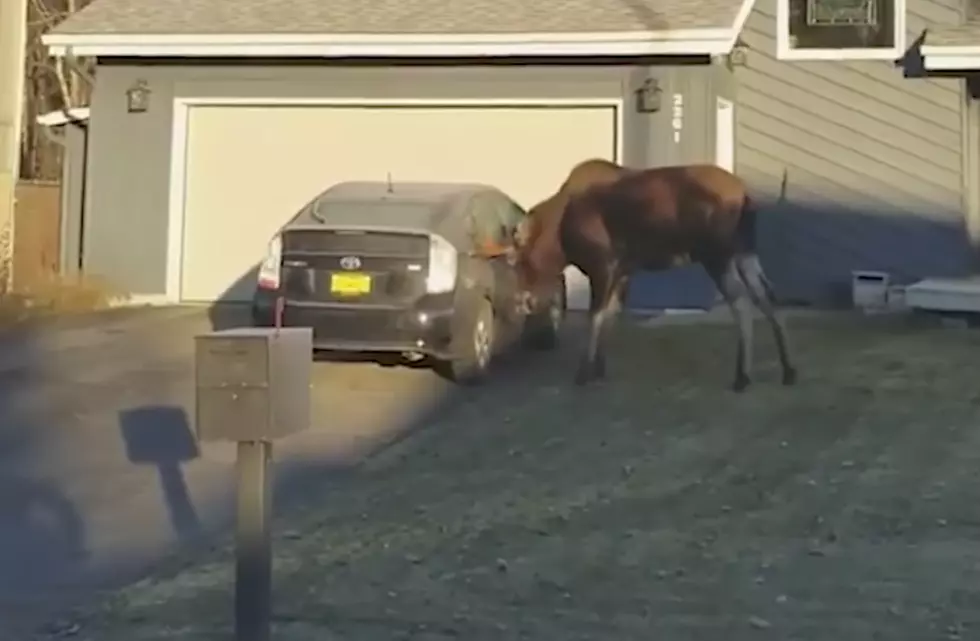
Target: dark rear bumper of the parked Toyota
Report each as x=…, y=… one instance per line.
x=362, y=328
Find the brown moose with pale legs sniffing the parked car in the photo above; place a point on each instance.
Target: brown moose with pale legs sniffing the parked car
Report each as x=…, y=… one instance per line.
x=611, y=221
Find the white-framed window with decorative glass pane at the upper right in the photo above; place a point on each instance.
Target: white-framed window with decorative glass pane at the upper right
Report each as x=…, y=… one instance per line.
x=840, y=29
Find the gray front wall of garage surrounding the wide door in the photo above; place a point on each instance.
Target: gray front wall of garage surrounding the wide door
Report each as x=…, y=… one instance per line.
x=128, y=185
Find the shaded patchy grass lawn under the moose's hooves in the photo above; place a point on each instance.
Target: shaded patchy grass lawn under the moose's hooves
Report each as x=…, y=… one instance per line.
x=657, y=506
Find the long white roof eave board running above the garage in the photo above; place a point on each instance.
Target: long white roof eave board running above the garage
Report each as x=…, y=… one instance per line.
x=679, y=42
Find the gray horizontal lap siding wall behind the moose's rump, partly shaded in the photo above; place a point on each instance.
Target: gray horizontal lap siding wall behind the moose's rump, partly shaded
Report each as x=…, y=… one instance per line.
x=872, y=161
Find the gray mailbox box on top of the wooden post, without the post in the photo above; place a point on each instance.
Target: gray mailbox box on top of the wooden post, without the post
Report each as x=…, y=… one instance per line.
x=253, y=384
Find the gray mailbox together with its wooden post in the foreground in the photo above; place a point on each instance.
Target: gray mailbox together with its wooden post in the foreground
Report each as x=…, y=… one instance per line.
x=252, y=387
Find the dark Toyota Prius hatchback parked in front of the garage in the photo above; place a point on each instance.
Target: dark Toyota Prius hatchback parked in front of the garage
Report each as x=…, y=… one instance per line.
x=417, y=269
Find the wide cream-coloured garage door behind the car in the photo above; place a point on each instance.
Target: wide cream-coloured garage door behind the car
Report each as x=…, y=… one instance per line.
x=250, y=169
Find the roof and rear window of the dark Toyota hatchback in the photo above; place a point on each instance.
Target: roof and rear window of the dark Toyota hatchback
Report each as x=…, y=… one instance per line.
x=396, y=206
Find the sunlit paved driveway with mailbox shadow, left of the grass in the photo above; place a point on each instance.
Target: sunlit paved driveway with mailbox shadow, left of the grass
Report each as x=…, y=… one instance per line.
x=99, y=473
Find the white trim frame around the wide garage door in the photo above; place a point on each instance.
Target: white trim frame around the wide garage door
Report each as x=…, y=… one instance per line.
x=179, y=146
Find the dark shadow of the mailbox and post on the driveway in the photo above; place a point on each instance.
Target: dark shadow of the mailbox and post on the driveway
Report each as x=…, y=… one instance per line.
x=161, y=436
